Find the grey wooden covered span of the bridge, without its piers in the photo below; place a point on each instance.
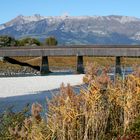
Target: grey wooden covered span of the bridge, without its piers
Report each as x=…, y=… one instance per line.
x=77, y=50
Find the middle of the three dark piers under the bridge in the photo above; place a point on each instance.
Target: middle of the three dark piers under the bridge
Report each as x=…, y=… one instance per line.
x=80, y=66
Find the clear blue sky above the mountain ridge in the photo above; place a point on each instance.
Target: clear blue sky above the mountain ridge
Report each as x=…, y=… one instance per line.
x=12, y=8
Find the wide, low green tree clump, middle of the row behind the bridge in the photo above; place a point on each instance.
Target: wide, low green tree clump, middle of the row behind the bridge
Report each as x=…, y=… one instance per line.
x=29, y=42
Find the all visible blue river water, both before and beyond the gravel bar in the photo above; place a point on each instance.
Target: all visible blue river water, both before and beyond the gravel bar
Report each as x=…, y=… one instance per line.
x=18, y=102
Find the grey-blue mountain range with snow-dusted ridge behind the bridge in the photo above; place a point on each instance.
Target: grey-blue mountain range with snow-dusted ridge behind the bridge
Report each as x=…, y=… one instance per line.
x=76, y=30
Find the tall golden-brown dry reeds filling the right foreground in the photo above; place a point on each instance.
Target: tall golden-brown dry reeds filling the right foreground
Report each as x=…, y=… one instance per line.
x=106, y=110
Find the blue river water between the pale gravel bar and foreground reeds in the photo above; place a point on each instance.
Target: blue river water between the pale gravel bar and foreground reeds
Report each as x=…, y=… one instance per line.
x=18, y=102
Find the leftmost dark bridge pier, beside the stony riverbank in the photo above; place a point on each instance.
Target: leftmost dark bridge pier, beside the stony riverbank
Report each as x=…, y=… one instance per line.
x=44, y=67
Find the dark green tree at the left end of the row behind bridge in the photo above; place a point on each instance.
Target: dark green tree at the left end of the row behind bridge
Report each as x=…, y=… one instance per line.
x=6, y=41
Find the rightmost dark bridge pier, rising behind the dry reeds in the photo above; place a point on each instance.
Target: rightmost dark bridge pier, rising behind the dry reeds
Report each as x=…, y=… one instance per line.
x=118, y=66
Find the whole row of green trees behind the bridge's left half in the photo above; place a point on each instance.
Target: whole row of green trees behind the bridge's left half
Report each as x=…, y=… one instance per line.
x=7, y=41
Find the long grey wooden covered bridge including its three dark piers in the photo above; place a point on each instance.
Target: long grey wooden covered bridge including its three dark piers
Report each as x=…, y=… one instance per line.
x=116, y=51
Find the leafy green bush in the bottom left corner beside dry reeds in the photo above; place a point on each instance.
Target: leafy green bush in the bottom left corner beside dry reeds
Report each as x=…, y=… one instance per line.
x=11, y=119
